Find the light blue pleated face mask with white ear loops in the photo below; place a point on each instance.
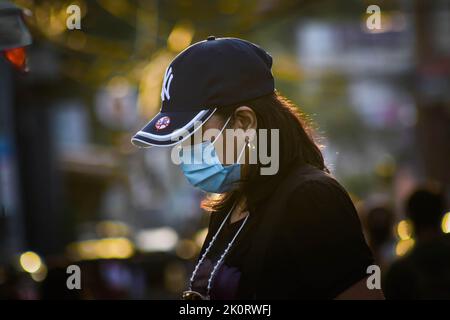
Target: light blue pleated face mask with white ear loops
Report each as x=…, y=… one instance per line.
x=206, y=172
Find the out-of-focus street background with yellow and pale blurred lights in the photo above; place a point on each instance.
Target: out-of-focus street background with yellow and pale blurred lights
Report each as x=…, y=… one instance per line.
x=73, y=190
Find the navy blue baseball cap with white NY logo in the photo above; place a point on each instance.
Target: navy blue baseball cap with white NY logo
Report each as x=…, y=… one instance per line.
x=206, y=76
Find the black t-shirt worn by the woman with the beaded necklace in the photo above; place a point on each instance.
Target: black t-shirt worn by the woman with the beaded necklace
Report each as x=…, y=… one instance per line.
x=316, y=249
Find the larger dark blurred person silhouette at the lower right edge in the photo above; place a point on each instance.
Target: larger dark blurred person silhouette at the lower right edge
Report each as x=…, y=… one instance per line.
x=424, y=272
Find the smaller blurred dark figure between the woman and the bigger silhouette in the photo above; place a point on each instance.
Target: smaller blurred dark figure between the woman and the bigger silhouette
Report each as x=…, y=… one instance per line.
x=378, y=224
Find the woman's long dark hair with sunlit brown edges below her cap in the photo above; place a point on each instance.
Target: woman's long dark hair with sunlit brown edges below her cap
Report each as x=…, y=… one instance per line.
x=296, y=146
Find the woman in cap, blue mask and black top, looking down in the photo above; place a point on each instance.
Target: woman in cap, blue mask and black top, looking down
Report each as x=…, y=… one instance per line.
x=290, y=234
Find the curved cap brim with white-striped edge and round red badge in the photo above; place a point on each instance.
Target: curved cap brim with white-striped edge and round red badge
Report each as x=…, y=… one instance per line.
x=170, y=128
